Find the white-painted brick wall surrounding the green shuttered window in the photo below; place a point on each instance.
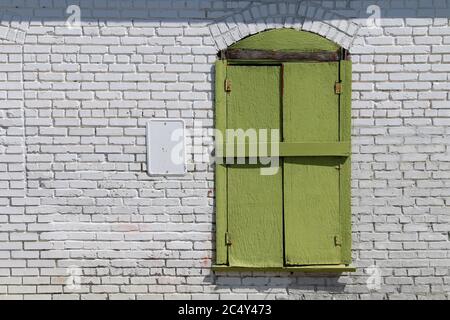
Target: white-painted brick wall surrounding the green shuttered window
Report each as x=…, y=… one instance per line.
x=81, y=219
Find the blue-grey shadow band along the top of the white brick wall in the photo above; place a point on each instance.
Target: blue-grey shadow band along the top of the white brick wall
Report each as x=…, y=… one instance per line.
x=17, y=19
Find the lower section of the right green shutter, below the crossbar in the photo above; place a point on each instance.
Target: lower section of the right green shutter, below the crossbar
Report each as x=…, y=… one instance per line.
x=311, y=210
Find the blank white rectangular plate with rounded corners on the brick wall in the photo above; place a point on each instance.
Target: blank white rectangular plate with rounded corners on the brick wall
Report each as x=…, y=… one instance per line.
x=166, y=154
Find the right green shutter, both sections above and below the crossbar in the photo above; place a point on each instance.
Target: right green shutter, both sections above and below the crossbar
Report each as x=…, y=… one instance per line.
x=311, y=184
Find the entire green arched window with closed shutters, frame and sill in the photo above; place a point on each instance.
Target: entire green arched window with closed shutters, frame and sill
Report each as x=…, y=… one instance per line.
x=298, y=218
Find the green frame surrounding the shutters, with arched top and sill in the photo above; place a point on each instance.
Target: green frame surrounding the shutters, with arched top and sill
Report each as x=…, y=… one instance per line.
x=221, y=221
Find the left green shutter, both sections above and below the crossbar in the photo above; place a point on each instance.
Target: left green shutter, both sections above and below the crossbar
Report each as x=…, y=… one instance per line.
x=254, y=200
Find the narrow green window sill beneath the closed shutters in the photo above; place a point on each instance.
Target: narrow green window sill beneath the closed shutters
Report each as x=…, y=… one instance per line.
x=313, y=268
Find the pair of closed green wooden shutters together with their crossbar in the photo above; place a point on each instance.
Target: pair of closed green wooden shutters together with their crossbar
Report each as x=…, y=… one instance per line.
x=301, y=215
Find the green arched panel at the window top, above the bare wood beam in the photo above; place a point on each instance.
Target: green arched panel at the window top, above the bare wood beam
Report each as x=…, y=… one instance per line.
x=286, y=40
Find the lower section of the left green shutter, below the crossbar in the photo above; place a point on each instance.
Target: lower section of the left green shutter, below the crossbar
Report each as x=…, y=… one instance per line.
x=254, y=217
